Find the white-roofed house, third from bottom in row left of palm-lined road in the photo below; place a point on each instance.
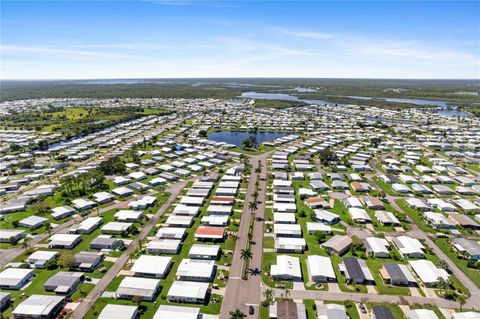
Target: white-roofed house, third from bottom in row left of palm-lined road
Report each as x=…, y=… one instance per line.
x=196, y=270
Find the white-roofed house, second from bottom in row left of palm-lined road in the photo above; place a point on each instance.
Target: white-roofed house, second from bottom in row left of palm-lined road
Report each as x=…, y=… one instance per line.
x=188, y=291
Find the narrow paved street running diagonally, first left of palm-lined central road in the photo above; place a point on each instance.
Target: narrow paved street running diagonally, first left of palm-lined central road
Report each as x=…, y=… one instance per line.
x=82, y=309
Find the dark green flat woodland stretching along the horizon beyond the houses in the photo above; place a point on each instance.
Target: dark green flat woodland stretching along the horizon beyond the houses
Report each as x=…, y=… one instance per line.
x=459, y=92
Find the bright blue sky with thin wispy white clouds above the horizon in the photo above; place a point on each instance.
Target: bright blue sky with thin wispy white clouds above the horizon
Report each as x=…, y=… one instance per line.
x=168, y=39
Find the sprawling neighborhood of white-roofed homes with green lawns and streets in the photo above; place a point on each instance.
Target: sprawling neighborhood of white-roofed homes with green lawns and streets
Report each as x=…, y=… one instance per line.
x=339, y=213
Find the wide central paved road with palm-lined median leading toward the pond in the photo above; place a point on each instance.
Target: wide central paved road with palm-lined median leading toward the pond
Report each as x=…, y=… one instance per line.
x=242, y=293
